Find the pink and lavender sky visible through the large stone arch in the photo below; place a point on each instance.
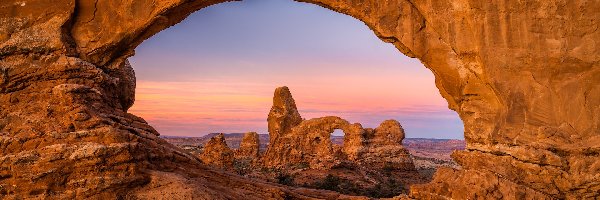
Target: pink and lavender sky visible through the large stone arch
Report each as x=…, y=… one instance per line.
x=217, y=70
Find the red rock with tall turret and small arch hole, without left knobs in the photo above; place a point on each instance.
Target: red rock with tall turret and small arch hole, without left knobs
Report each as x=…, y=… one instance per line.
x=310, y=140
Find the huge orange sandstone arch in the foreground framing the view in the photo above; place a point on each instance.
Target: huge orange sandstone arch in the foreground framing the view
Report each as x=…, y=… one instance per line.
x=524, y=76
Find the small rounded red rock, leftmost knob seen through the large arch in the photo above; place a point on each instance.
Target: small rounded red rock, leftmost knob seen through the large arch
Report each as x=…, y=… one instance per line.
x=216, y=153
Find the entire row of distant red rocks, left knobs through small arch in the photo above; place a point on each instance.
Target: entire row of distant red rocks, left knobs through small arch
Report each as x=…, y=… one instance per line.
x=294, y=141
